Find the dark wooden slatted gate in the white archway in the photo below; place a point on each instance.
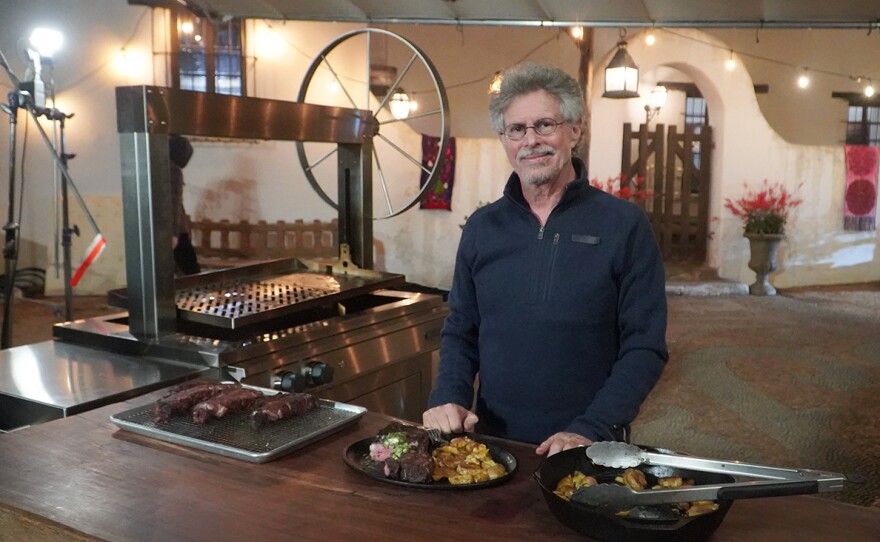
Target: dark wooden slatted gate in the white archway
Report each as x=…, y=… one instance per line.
x=676, y=171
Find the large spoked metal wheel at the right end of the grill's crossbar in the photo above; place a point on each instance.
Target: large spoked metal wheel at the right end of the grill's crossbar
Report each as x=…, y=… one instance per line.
x=388, y=63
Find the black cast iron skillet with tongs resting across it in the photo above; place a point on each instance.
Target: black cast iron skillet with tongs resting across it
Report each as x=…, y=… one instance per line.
x=650, y=524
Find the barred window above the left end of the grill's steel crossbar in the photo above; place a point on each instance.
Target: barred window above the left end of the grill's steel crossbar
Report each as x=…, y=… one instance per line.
x=207, y=56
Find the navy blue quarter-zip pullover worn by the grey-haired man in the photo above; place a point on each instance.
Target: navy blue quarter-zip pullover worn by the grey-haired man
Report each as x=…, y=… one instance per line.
x=565, y=325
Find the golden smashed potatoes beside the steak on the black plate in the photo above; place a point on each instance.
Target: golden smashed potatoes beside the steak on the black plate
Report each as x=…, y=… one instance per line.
x=464, y=461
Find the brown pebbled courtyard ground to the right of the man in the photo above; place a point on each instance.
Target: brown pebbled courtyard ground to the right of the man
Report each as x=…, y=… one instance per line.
x=791, y=380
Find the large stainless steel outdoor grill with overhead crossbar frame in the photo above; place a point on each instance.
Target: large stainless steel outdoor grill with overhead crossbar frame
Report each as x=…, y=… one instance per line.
x=336, y=328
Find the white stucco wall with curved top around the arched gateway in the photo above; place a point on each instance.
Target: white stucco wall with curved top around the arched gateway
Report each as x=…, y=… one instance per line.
x=747, y=150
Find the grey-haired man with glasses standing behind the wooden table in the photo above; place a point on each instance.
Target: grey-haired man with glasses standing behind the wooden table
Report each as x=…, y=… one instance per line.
x=558, y=300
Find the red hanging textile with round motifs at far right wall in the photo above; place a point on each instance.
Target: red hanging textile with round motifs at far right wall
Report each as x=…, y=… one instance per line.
x=860, y=199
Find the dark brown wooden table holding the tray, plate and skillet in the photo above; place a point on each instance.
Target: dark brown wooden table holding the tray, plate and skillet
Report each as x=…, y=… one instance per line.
x=81, y=478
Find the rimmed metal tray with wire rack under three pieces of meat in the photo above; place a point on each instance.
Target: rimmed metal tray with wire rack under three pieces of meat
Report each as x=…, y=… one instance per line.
x=233, y=436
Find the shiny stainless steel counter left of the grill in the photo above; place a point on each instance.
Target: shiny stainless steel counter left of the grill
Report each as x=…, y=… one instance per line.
x=52, y=379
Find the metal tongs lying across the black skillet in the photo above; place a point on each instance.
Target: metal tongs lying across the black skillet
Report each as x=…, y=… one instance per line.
x=771, y=481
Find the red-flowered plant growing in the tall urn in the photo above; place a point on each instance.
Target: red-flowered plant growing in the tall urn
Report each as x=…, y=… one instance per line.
x=764, y=211
